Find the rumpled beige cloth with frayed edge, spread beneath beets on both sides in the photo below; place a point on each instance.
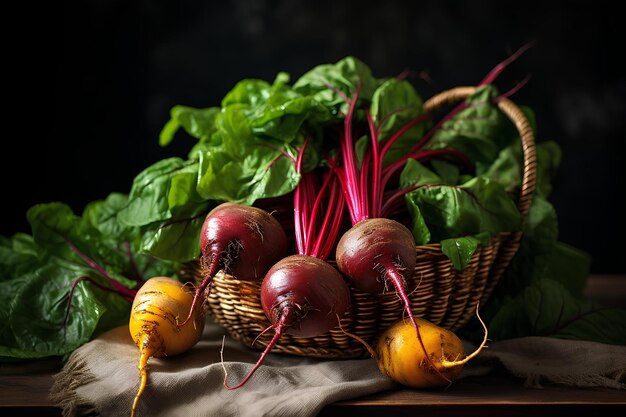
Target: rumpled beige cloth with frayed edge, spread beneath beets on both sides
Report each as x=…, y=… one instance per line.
x=100, y=378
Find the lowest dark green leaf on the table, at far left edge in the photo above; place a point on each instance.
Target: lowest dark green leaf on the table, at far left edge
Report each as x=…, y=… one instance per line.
x=37, y=305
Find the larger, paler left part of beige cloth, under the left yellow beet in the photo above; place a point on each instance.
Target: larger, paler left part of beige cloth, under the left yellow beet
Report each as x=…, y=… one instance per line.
x=101, y=378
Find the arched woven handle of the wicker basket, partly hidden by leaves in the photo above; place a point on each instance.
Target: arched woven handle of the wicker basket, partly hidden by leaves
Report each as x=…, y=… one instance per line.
x=513, y=112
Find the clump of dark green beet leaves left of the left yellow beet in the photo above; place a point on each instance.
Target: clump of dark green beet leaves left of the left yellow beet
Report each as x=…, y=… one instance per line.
x=38, y=271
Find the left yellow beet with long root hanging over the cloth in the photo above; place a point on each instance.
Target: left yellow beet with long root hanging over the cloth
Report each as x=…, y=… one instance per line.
x=158, y=308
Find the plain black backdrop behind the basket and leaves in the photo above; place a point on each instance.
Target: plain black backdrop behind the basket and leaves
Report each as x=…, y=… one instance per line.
x=96, y=80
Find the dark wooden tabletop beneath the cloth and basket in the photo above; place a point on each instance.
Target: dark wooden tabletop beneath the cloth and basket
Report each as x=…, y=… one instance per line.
x=24, y=389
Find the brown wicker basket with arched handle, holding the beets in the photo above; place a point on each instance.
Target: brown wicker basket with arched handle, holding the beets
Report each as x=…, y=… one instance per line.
x=437, y=291
